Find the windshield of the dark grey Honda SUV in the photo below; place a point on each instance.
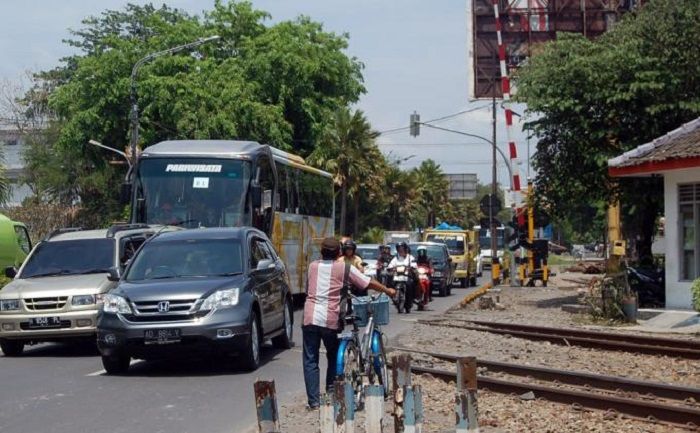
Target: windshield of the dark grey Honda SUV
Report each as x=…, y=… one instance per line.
x=188, y=258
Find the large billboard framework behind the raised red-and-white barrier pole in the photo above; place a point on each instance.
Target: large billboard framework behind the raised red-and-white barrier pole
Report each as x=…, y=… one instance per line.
x=524, y=24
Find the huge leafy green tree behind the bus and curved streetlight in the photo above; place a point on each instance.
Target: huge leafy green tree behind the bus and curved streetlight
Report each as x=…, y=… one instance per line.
x=277, y=84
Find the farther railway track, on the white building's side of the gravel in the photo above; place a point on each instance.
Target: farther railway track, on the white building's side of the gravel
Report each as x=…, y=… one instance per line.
x=578, y=337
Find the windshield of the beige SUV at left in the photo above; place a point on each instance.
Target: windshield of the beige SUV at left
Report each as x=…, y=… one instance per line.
x=71, y=257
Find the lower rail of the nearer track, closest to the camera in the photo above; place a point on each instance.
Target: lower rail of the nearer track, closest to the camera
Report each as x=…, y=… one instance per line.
x=650, y=411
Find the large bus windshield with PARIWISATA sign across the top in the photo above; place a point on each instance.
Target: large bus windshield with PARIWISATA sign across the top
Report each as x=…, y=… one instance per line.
x=193, y=192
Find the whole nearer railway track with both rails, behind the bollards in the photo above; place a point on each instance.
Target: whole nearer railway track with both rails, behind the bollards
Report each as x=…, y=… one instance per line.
x=586, y=391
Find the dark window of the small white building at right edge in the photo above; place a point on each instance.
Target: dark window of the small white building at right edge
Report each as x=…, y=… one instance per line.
x=689, y=237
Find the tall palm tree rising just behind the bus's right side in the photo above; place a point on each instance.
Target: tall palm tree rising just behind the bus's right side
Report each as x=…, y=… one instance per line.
x=346, y=149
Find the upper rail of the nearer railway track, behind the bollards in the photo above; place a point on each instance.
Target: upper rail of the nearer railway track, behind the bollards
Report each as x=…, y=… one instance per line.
x=579, y=378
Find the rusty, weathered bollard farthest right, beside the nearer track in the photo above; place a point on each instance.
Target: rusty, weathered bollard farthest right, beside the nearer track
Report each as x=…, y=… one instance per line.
x=466, y=409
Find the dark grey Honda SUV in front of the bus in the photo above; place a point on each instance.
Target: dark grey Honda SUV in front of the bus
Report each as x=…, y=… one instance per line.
x=202, y=290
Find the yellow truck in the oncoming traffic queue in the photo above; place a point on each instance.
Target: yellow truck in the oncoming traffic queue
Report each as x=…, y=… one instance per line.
x=463, y=246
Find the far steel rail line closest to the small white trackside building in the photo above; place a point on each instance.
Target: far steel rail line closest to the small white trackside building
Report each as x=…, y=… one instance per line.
x=564, y=338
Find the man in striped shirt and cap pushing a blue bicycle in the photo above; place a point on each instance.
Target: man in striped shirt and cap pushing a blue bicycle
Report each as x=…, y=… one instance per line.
x=322, y=313
